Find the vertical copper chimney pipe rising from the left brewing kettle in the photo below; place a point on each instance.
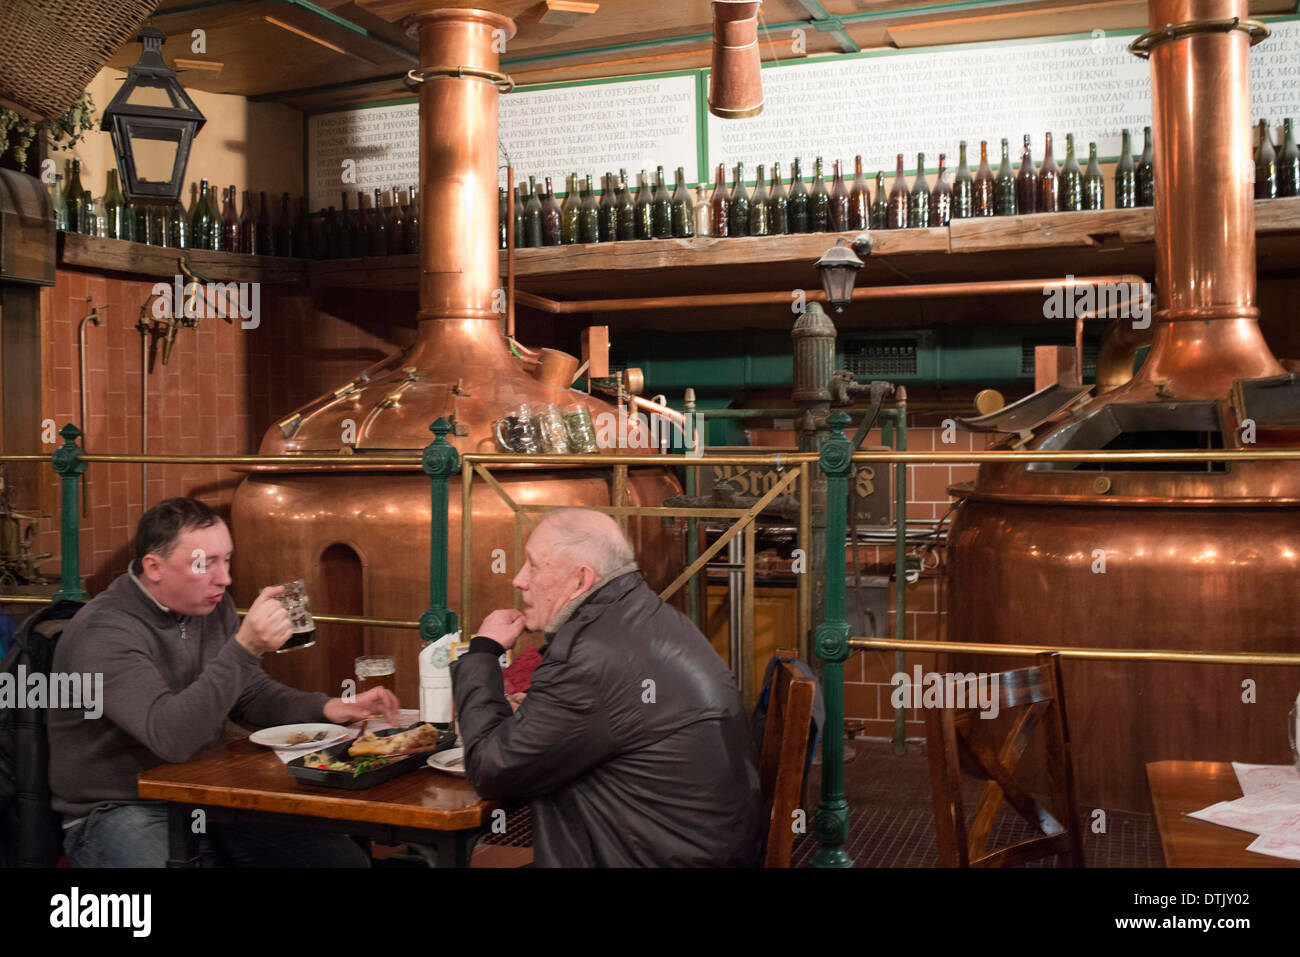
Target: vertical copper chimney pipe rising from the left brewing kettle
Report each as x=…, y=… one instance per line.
x=458, y=163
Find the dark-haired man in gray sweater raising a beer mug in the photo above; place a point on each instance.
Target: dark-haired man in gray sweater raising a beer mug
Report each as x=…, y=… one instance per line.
x=176, y=664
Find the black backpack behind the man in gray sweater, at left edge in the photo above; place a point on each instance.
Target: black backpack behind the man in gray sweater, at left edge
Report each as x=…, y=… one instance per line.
x=31, y=832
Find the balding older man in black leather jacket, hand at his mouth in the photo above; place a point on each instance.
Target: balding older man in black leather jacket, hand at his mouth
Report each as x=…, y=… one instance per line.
x=631, y=744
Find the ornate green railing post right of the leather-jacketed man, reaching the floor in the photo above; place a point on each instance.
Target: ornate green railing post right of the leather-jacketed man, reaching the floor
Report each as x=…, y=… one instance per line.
x=831, y=825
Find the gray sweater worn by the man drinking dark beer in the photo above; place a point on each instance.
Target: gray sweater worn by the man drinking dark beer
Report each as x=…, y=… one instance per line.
x=170, y=686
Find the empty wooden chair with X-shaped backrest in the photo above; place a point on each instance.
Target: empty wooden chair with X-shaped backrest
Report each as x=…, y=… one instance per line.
x=1030, y=698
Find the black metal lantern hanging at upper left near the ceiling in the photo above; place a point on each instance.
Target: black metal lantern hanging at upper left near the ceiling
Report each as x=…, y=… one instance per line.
x=154, y=123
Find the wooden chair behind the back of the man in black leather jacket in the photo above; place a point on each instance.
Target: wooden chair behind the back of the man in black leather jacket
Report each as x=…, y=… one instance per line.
x=782, y=765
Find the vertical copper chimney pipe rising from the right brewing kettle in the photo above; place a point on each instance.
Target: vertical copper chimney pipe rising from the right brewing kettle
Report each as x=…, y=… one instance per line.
x=1207, y=332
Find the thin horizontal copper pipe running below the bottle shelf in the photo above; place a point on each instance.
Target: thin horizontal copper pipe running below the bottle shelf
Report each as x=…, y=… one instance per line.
x=918, y=292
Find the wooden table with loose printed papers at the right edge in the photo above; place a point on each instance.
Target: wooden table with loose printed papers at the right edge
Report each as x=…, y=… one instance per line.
x=1180, y=787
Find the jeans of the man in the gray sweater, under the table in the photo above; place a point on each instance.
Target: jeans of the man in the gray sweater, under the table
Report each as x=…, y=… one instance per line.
x=135, y=835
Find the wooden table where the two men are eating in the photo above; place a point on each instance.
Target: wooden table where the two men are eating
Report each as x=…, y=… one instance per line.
x=240, y=782
